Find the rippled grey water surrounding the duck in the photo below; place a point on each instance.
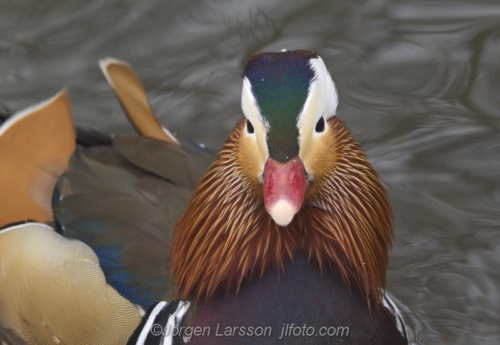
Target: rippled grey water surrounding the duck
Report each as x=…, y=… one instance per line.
x=419, y=85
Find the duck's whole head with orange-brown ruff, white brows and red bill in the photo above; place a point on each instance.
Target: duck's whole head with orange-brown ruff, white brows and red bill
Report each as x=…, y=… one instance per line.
x=289, y=178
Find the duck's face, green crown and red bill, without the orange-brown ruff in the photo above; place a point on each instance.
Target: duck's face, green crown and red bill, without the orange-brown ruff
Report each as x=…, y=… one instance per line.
x=287, y=98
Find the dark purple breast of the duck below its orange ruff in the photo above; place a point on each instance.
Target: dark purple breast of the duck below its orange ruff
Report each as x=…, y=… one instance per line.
x=299, y=295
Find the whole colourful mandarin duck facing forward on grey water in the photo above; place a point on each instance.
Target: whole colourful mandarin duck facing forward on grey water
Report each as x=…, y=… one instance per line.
x=281, y=237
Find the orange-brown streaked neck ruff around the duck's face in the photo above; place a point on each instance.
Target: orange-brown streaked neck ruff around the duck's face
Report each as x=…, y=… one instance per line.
x=226, y=236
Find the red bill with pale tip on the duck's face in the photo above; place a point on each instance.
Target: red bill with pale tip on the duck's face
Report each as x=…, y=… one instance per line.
x=284, y=189
